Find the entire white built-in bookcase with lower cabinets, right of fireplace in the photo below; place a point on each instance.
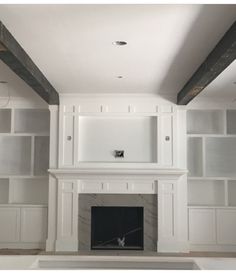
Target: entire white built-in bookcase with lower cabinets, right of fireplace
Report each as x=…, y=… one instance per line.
x=211, y=179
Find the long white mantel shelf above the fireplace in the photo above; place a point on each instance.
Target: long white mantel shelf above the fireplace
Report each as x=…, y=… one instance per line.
x=156, y=173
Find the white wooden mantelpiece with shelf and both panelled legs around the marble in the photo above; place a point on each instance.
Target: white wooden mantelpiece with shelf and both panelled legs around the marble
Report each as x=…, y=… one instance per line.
x=168, y=184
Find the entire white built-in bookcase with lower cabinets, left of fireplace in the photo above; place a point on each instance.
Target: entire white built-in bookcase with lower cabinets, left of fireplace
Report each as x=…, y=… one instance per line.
x=24, y=161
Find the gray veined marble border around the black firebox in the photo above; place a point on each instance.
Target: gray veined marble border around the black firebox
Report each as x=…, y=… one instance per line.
x=148, y=201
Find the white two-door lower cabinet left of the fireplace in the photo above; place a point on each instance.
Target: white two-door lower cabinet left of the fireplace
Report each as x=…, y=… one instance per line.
x=23, y=225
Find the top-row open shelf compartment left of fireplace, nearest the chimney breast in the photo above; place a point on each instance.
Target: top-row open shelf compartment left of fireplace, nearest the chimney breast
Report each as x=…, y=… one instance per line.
x=31, y=121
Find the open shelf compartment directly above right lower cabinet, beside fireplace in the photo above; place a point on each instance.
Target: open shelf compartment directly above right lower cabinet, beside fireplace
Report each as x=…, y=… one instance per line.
x=206, y=192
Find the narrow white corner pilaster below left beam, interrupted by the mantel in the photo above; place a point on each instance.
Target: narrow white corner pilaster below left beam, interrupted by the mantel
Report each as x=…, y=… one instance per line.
x=52, y=188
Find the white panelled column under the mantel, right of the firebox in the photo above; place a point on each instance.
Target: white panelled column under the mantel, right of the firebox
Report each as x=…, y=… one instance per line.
x=172, y=215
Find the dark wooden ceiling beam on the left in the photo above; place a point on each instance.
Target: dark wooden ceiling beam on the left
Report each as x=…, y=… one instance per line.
x=14, y=56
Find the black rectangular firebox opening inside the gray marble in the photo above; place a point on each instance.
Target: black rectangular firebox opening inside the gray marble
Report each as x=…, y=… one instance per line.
x=117, y=227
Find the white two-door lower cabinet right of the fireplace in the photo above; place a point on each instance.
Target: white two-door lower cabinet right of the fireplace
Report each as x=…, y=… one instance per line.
x=212, y=226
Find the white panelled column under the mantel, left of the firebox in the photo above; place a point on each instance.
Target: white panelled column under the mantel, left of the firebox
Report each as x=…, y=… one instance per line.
x=67, y=216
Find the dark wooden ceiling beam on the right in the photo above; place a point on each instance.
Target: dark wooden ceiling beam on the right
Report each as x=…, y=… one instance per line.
x=220, y=57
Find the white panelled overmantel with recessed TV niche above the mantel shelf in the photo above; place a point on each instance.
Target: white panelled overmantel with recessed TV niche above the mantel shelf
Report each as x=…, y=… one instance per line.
x=89, y=136
